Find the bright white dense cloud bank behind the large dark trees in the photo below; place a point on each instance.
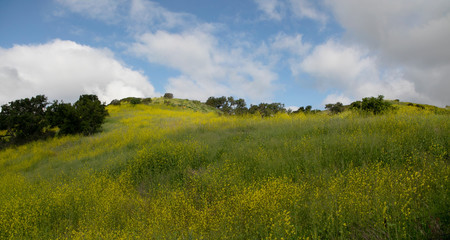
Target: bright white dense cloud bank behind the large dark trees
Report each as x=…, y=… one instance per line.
x=65, y=70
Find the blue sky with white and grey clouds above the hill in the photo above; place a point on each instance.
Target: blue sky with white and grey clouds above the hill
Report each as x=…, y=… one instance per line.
x=296, y=52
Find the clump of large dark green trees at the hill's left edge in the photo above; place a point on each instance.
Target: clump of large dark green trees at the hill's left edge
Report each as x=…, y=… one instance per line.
x=32, y=118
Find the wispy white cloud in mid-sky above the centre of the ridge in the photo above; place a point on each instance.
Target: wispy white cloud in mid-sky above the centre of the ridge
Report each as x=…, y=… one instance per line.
x=206, y=68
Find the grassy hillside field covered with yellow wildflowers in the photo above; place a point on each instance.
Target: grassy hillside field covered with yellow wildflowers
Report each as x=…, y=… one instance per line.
x=166, y=172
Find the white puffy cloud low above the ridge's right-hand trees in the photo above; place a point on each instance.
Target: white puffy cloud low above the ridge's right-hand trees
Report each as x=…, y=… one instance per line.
x=353, y=74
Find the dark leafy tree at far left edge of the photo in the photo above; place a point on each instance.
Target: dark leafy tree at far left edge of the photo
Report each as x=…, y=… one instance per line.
x=25, y=118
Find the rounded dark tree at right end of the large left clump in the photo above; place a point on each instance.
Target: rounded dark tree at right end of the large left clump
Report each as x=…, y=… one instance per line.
x=92, y=113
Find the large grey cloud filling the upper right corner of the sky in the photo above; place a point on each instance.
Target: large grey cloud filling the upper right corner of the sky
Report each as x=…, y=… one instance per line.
x=411, y=35
